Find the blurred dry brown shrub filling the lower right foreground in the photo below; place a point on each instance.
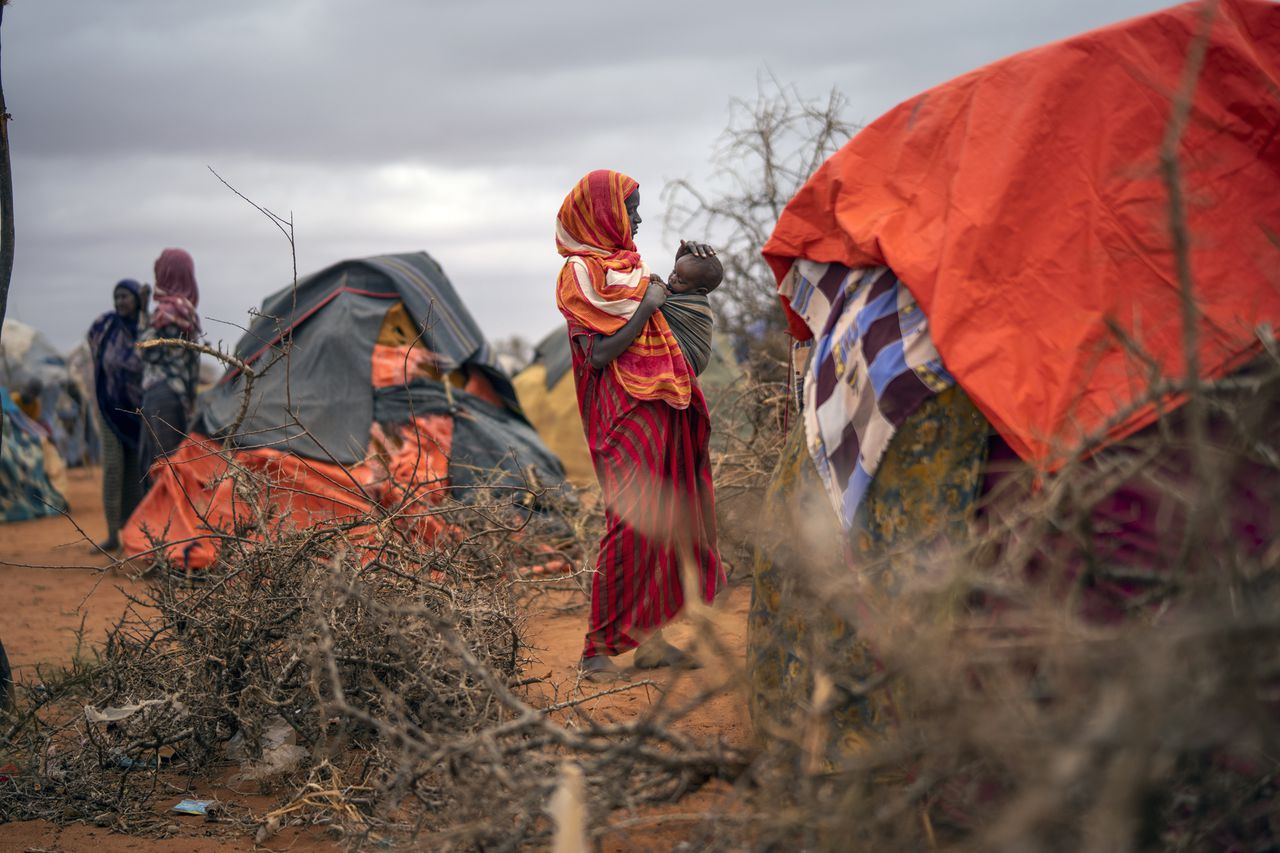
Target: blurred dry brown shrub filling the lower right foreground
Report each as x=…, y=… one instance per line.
x=1021, y=718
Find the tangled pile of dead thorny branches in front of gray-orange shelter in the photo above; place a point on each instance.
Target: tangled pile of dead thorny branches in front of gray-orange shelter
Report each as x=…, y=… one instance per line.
x=377, y=691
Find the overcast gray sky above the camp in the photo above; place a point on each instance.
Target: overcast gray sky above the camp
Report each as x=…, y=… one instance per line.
x=449, y=126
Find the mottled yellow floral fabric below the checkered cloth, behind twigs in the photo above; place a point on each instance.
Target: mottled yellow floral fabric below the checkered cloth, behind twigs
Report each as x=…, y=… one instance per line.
x=802, y=647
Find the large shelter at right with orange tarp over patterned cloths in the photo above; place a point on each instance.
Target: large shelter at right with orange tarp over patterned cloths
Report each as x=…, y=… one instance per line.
x=998, y=256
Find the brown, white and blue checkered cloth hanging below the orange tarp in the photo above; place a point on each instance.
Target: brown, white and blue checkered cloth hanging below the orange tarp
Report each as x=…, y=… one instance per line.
x=872, y=366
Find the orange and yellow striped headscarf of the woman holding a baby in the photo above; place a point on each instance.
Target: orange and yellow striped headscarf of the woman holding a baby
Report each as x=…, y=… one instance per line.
x=604, y=281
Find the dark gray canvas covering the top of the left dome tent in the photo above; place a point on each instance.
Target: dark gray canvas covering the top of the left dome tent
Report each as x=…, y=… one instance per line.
x=321, y=403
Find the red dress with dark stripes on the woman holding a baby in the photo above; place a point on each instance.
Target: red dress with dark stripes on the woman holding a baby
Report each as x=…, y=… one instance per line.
x=653, y=463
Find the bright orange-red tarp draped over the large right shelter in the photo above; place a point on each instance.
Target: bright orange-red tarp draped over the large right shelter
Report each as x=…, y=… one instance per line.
x=1023, y=206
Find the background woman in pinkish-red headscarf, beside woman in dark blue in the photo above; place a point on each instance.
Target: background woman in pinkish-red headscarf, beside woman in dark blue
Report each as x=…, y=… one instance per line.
x=170, y=373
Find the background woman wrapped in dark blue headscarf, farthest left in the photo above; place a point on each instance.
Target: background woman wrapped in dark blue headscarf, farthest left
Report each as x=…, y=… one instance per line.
x=118, y=389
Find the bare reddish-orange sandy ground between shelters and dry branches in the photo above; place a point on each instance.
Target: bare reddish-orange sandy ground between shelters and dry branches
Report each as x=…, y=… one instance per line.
x=54, y=591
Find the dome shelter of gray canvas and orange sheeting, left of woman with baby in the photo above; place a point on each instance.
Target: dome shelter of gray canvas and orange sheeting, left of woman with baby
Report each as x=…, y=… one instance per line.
x=372, y=385
